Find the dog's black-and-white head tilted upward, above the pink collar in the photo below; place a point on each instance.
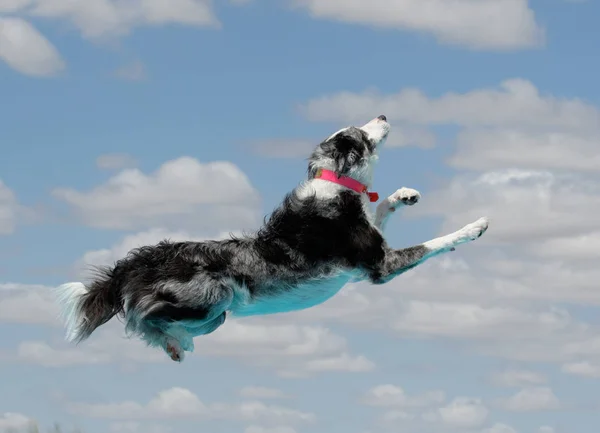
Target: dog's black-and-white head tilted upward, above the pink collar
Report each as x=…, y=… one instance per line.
x=351, y=151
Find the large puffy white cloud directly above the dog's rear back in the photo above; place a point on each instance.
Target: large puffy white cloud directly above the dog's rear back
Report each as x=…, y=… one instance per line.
x=183, y=193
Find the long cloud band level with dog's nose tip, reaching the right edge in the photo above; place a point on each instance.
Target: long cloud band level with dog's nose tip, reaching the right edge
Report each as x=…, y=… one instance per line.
x=515, y=103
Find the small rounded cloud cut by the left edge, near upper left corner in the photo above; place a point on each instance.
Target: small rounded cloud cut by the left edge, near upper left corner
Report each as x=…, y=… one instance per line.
x=26, y=50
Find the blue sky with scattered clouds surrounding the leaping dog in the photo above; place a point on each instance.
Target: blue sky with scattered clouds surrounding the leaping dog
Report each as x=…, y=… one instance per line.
x=126, y=122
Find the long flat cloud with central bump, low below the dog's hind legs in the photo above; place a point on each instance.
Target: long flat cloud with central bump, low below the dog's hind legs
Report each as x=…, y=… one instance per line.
x=180, y=403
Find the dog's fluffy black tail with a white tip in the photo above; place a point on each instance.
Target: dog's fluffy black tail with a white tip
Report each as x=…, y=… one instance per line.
x=83, y=309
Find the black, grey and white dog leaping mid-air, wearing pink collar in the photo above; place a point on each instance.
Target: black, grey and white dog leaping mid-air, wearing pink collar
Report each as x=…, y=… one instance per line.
x=321, y=237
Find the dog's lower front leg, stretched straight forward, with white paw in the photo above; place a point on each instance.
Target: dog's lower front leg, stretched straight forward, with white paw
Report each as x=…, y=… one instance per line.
x=397, y=262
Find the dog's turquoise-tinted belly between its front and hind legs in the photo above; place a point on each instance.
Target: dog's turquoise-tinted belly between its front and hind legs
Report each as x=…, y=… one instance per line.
x=285, y=299
